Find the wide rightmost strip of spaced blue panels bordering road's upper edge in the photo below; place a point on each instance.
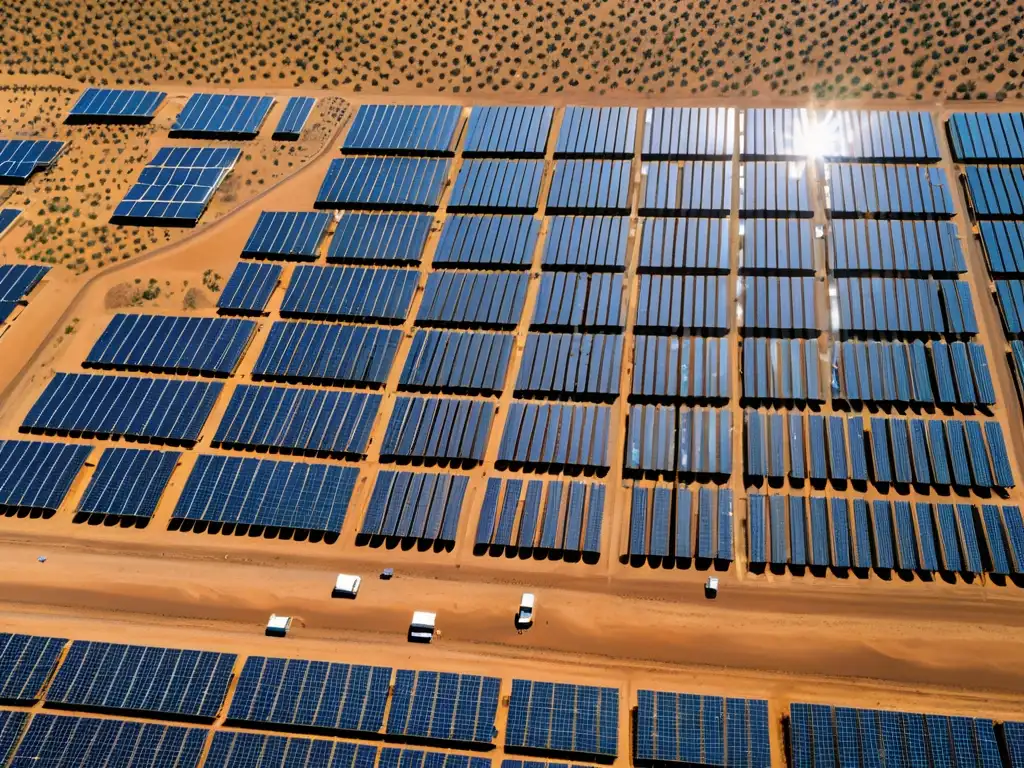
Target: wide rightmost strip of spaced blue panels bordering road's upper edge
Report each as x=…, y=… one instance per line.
x=931, y=538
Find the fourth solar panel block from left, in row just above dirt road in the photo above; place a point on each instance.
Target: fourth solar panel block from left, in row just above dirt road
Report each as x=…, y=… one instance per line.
x=414, y=507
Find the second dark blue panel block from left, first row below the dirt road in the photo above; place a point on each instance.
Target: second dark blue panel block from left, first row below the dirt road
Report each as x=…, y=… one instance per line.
x=170, y=682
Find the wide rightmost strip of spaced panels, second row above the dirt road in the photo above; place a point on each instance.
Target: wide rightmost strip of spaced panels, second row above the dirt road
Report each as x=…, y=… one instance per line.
x=921, y=452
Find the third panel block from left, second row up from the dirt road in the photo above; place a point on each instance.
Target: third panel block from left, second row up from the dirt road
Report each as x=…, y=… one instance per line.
x=438, y=430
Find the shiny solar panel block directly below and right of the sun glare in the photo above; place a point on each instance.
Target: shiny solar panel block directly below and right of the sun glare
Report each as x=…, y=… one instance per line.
x=888, y=192
